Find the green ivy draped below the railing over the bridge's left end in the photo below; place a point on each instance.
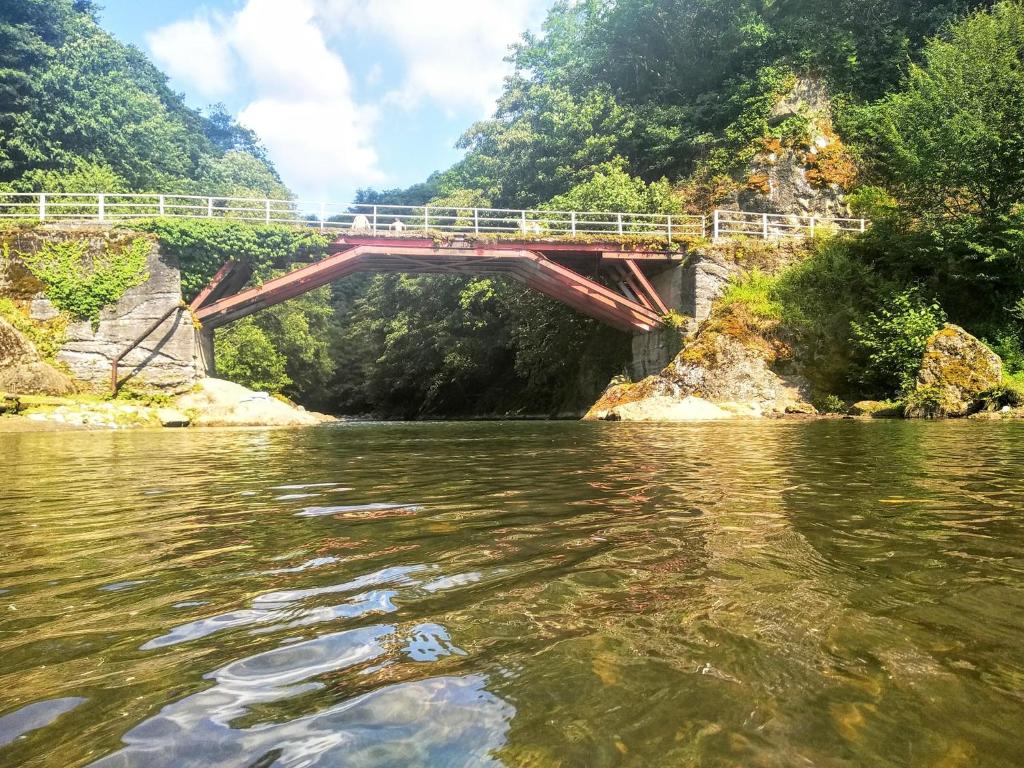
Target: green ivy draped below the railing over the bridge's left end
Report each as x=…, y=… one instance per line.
x=203, y=246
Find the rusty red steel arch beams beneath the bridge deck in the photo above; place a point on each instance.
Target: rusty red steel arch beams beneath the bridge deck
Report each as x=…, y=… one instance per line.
x=552, y=269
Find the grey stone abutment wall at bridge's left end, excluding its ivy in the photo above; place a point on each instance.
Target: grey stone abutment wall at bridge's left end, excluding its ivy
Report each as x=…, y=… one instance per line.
x=167, y=360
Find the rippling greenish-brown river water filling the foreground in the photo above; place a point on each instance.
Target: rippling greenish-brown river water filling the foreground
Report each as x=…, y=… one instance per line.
x=779, y=594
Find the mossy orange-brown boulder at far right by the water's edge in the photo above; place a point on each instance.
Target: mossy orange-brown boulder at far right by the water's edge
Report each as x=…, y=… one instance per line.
x=956, y=370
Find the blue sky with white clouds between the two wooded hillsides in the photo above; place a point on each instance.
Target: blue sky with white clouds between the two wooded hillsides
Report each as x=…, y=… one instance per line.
x=344, y=94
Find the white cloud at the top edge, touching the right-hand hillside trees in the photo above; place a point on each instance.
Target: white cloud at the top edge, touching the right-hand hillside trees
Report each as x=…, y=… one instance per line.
x=453, y=52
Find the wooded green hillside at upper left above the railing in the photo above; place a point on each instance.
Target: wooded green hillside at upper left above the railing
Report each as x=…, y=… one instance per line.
x=79, y=109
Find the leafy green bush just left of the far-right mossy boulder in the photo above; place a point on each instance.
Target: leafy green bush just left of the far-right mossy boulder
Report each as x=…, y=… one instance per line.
x=893, y=340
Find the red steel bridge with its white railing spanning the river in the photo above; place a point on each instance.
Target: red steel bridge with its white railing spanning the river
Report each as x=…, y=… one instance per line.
x=600, y=264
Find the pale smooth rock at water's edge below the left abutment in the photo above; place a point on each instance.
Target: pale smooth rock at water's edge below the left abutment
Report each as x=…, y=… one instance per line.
x=223, y=404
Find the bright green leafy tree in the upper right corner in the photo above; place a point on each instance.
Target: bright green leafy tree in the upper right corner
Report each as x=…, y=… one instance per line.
x=953, y=143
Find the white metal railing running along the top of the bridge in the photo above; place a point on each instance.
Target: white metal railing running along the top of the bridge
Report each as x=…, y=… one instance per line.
x=389, y=220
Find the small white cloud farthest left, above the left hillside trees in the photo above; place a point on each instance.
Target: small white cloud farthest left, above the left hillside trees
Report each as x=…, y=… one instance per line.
x=194, y=55
